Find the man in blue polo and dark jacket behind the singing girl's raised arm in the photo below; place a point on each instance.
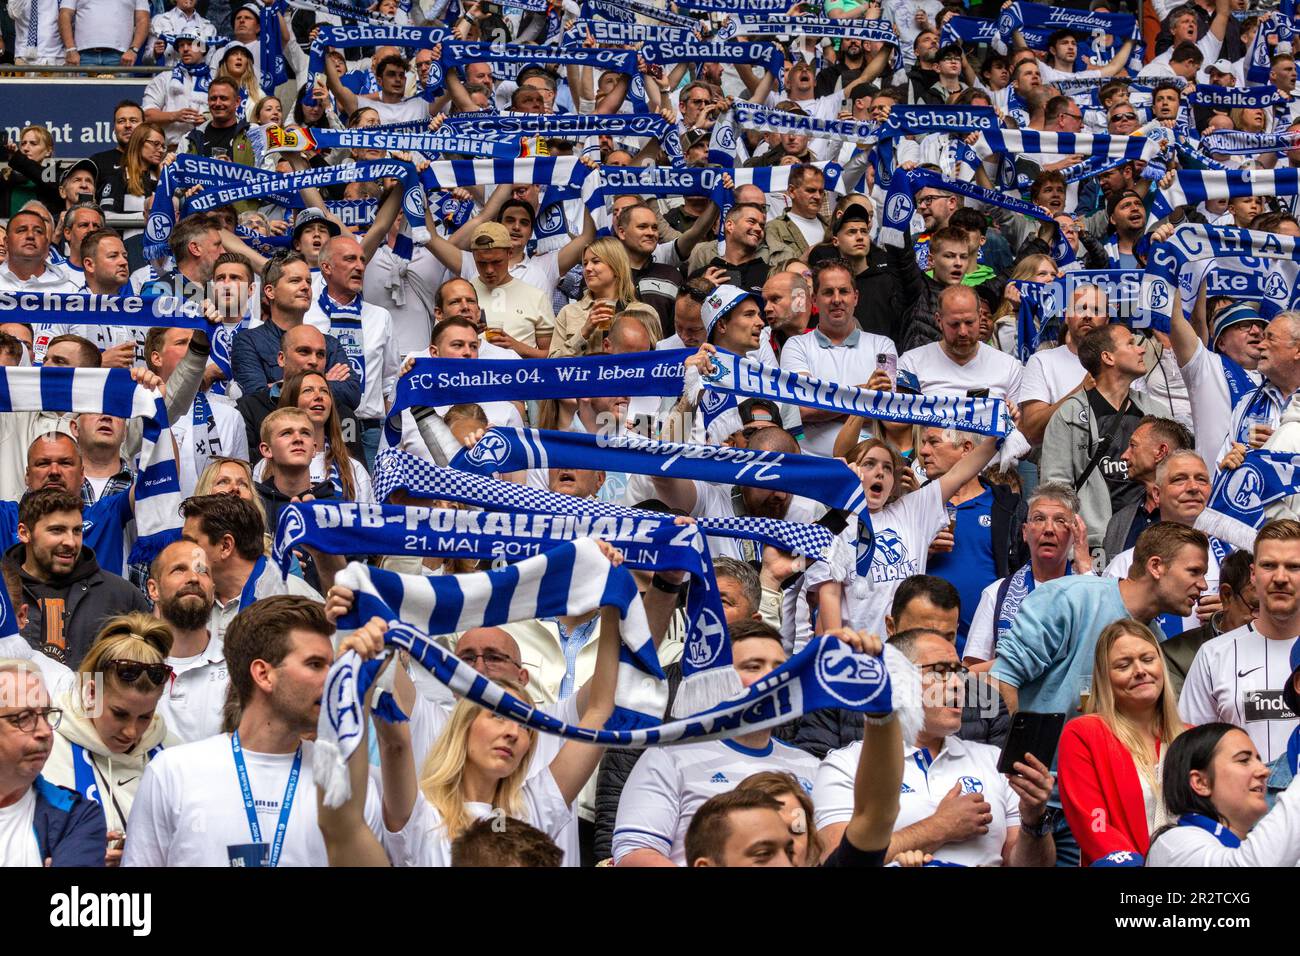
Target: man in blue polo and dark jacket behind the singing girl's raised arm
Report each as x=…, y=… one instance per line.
x=983, y=540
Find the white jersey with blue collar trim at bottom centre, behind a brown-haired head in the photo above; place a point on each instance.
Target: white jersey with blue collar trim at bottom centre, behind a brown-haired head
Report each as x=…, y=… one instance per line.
x=670, y=784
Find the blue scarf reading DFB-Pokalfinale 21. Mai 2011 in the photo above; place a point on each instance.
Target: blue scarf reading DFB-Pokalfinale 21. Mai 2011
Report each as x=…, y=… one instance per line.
x=647, y=546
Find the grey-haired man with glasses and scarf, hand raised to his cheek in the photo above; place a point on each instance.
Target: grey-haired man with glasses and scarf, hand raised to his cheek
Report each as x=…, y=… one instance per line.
x=1058, y=542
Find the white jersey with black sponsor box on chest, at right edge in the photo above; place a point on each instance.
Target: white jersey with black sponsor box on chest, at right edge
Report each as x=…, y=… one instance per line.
x=1238, y=678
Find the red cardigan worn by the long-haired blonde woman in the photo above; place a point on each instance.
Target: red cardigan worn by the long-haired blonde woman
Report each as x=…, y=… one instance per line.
x=1100, y=791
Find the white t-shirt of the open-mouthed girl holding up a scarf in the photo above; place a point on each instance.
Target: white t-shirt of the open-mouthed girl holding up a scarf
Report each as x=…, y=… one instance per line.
x=903, y=530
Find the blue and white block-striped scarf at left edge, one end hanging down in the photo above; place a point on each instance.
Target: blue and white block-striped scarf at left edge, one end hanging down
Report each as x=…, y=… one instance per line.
x=111, y=392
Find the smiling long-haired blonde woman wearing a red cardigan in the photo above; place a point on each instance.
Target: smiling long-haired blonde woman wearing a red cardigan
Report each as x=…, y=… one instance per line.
x=1111, y=760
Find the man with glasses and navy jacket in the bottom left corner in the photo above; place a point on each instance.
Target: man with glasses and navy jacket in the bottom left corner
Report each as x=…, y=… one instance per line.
x=40, y=824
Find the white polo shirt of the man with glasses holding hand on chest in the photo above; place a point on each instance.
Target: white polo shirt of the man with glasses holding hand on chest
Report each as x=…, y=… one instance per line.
x=925, y=784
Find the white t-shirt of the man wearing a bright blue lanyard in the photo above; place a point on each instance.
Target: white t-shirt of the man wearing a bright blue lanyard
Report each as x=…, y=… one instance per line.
x=189, y=808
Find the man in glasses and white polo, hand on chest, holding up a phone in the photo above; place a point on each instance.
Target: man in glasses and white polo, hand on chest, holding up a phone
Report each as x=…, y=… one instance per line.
x=955, y=803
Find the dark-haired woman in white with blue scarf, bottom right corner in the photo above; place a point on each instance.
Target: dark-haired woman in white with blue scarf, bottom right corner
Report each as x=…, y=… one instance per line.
x=1216, y=791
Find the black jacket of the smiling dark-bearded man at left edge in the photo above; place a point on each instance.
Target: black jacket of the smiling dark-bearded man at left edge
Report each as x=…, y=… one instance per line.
x=66, y=615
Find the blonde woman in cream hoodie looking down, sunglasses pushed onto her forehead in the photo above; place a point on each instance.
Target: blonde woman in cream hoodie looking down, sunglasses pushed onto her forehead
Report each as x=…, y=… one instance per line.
x=111, y=728
